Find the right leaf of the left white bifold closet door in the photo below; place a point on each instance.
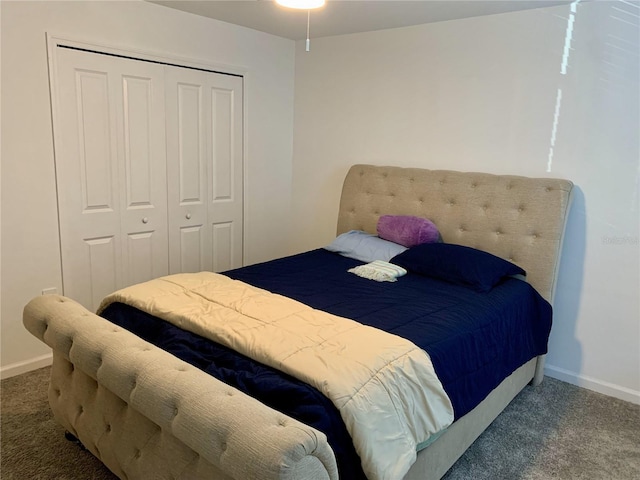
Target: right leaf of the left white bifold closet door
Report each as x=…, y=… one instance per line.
x=144, y=179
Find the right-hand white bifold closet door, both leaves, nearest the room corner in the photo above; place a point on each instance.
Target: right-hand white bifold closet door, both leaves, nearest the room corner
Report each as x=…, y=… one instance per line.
x=204, y=148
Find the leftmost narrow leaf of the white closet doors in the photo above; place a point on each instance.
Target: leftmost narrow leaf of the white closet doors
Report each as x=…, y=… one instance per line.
x=87, y=176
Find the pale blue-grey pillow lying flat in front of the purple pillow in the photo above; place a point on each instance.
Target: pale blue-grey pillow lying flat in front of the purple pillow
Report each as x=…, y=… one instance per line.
x=364, y=246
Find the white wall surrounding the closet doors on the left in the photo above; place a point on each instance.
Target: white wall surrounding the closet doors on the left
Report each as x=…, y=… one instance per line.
x=30, y=250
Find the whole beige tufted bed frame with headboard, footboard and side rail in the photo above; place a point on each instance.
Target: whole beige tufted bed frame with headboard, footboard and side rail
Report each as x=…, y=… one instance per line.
x=147, y=415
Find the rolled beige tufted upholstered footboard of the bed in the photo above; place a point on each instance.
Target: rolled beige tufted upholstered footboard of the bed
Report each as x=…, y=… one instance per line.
x=104, y=389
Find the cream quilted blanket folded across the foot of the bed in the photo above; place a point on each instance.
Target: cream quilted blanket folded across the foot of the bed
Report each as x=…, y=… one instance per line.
x=384, y=386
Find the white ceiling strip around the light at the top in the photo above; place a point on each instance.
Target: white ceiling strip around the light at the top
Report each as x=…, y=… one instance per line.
x=340, y=17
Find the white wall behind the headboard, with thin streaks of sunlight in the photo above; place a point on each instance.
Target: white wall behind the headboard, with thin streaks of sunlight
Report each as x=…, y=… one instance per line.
x=481, y=94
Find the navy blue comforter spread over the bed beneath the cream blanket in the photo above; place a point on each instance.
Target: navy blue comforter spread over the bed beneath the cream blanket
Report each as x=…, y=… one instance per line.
x=474, y=339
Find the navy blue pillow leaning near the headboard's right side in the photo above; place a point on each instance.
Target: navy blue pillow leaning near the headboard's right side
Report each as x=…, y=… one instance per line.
x=457, y=264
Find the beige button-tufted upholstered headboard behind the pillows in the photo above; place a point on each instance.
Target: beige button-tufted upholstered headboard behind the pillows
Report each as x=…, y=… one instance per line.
x=517, y=218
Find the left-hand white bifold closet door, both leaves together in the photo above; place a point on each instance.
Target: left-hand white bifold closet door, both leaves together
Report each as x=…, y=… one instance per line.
x=110, y=172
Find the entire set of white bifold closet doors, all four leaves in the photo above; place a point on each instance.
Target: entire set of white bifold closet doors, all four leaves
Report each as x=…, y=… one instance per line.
x=148, y=169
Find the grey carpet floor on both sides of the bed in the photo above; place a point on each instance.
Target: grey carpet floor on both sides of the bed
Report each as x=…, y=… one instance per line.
x=554, y=431
